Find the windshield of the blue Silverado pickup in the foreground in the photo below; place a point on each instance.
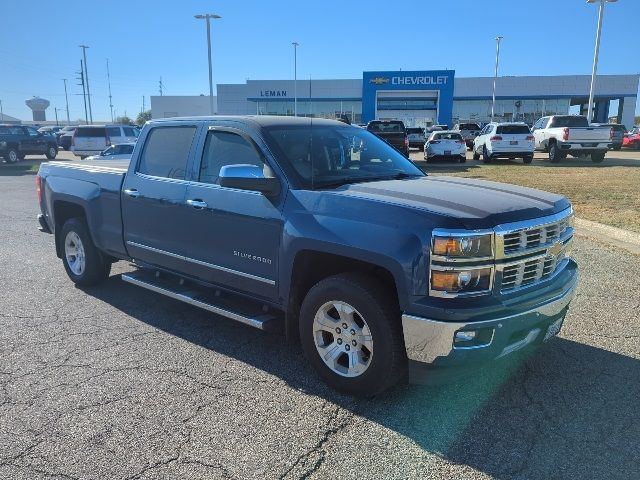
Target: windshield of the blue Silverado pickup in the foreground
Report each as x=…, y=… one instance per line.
x=328, y=156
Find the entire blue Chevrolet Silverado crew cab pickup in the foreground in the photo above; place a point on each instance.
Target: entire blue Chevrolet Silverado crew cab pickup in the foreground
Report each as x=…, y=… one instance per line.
x=327, y=232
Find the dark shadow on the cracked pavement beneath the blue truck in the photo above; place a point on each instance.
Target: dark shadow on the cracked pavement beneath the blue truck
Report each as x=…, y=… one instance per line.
x=569, y=410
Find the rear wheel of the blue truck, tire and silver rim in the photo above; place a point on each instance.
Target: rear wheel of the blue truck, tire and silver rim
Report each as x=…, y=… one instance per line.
x=82, y=260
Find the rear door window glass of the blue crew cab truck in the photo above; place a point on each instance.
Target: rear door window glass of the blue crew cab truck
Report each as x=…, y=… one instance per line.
x=166, y=152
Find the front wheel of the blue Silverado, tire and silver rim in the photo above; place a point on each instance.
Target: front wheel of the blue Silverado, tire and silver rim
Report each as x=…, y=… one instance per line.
x=350, y=333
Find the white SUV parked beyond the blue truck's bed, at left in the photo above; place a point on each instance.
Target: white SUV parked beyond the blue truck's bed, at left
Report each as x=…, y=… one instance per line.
x=93, y=139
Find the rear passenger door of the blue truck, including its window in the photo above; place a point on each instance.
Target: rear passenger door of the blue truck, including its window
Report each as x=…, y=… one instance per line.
x=153, y=196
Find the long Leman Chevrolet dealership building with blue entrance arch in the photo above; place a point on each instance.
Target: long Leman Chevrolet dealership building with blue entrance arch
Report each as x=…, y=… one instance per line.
x=419, y=98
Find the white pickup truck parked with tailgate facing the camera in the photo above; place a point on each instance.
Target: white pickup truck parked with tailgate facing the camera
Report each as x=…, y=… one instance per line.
x=571, y=134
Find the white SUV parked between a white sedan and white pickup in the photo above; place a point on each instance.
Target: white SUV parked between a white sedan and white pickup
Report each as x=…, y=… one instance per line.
x=504, y=140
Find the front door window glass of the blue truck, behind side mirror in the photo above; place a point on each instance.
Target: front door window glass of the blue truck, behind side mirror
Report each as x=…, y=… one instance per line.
x=226, y=148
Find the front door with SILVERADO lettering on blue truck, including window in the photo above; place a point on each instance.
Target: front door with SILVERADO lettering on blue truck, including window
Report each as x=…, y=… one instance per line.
x=235, y=235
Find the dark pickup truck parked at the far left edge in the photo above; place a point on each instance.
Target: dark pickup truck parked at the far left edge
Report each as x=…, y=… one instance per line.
x=17, y=141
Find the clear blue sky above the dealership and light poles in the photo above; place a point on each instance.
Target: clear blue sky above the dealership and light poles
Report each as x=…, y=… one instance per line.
x=146, y=40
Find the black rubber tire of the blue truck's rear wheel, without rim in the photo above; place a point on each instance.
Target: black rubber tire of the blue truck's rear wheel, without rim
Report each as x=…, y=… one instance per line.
x=96, y=266
